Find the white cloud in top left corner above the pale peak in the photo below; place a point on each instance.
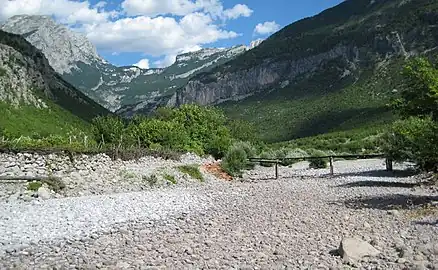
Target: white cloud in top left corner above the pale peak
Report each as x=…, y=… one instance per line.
x=65, y=11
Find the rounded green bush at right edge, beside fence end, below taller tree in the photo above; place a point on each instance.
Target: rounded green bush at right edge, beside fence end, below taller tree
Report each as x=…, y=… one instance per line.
x=414, y=139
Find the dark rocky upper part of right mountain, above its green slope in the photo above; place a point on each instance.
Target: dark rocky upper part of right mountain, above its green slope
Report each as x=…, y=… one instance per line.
x=359, y=35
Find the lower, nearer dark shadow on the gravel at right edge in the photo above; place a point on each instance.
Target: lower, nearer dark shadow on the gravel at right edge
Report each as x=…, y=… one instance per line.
x=389, y=202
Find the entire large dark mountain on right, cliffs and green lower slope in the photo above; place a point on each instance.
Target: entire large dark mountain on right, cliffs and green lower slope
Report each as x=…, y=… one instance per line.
x=333, y=71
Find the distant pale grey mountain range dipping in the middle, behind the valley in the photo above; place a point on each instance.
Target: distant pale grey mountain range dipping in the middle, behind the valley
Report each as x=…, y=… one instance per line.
x=76, y=59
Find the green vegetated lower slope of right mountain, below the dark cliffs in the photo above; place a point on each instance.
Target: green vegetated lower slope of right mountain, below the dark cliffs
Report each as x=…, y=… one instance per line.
x=309, y=109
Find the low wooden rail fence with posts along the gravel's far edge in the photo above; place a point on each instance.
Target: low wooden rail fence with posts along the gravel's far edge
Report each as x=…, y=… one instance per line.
x=331, y=158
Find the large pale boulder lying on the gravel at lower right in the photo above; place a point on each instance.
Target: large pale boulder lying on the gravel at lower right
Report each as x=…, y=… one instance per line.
x=354, y=250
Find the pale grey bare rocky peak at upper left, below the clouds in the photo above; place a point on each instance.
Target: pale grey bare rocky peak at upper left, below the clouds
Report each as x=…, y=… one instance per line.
x=63, y=47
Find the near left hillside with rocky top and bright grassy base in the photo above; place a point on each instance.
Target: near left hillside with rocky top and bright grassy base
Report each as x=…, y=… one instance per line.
x=33, y=97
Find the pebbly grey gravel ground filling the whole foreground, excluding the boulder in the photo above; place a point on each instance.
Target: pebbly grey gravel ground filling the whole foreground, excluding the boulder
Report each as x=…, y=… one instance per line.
x=295, y=222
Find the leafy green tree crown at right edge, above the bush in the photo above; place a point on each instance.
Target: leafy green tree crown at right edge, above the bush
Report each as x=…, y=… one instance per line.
x=419, y=96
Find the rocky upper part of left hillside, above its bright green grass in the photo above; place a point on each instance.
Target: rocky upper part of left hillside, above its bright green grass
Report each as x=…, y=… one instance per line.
x=26, y=78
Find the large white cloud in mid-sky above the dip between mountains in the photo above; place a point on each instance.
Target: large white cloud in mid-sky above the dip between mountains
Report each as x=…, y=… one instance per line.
x=156, y=36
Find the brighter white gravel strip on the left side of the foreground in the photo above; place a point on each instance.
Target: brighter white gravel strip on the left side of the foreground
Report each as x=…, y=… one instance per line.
x=78, y=217
